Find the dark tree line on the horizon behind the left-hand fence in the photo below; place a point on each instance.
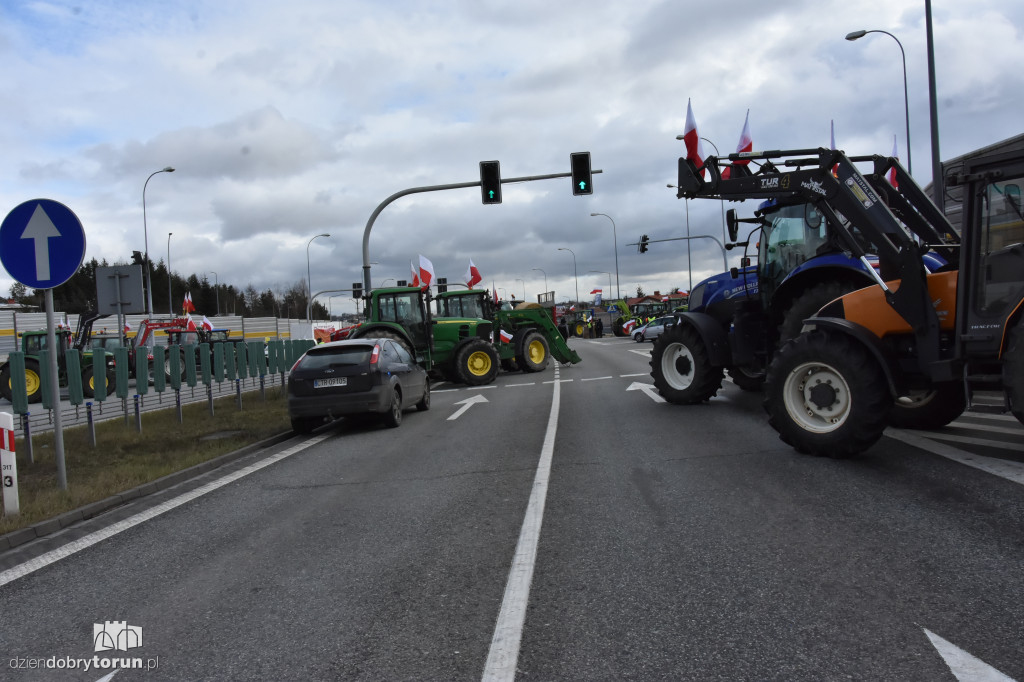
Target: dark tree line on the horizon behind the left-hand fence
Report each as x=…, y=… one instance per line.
x=78, y=295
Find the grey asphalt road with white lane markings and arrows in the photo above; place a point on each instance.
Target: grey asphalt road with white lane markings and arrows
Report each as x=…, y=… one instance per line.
x=675, y=543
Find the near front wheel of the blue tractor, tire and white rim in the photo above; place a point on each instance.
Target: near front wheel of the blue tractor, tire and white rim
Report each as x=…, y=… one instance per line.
x=681, y=367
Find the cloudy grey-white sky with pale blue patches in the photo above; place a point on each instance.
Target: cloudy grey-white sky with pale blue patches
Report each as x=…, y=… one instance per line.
x=285, y=120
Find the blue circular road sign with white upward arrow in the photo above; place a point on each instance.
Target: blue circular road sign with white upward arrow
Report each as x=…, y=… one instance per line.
x=42, y=244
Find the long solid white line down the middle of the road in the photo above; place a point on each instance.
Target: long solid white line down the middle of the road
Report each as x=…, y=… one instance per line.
x=508, y=631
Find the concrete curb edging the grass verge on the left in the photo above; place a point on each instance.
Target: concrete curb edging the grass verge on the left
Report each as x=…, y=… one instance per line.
x=50, y=527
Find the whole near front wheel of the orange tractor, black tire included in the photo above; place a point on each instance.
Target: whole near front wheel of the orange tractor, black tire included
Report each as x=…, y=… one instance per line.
x=827, y=396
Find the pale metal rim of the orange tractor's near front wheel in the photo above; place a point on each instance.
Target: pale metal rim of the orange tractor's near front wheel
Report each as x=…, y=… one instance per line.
x=818, y=398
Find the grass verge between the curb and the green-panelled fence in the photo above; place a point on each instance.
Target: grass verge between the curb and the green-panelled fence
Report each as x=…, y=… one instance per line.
x=124, y=458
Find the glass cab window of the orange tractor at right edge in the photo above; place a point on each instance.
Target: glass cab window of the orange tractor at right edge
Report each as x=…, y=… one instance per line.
x=1002, y=249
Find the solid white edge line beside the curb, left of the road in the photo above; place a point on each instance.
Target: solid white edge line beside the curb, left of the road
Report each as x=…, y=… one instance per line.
x=54, y=557
